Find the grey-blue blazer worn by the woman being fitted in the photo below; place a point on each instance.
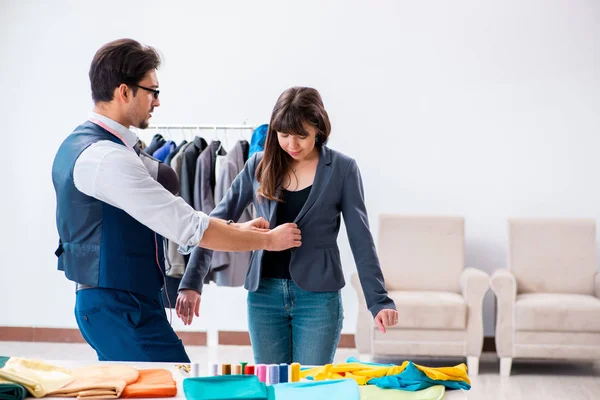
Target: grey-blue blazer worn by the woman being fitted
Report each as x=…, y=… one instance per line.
x=315, y=266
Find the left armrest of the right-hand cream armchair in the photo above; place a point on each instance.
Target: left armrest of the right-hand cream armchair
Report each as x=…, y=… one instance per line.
x=504, y=286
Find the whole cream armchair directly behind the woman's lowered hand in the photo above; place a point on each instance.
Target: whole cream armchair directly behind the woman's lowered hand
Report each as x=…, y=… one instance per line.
x=439, y=301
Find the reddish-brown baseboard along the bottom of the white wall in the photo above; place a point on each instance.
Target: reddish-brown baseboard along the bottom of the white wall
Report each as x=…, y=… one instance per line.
x=231, y=338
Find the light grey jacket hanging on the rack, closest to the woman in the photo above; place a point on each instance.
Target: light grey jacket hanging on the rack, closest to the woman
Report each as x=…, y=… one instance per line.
x=230, y=267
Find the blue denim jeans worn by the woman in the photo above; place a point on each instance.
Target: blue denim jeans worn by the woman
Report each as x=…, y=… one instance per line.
x=288, y=324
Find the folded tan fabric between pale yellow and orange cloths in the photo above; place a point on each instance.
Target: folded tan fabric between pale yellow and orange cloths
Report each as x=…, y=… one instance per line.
x=98, y=381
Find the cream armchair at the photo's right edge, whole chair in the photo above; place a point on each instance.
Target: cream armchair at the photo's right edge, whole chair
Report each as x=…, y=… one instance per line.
x=548, y=304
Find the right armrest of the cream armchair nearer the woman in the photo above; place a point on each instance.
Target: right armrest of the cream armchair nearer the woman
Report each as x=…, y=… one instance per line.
x=474, y=284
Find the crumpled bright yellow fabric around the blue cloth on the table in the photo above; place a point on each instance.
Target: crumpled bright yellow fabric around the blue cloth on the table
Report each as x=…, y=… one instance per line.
x=362, y=373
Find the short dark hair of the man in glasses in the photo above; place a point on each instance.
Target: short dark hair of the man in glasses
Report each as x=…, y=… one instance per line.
x=121, y=61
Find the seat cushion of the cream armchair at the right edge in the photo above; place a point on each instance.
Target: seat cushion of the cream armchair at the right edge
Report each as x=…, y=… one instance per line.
x=548, y=312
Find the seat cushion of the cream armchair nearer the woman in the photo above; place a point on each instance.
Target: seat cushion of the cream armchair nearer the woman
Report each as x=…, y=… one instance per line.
x=430, y=310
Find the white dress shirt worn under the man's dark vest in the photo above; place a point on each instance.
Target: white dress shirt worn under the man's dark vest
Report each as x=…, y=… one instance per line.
x=114, y=174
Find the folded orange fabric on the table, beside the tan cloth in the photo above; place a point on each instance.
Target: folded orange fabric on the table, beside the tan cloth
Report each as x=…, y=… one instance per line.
x=152, y=383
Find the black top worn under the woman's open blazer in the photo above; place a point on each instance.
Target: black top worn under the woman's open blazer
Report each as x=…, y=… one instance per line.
x=276, y=264
